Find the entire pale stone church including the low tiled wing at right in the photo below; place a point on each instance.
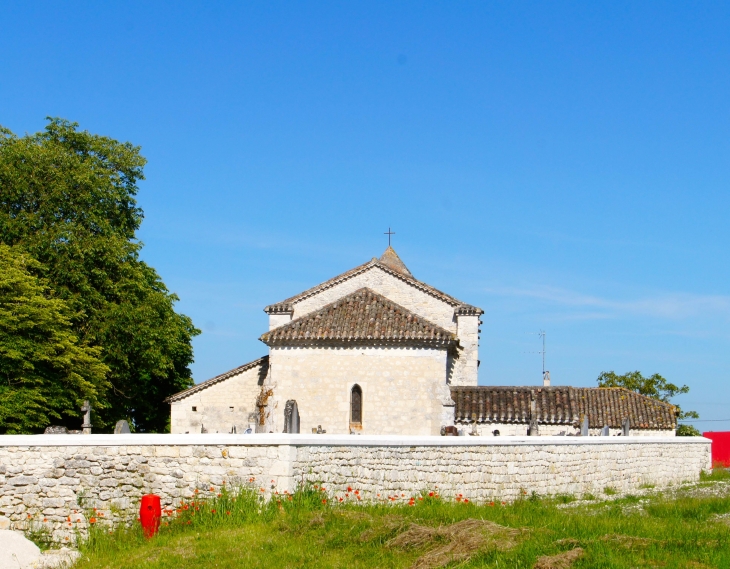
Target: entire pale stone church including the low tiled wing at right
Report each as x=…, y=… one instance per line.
x=376, y=351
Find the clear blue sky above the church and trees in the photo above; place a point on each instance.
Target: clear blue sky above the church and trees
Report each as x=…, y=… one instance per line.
x=565, y=166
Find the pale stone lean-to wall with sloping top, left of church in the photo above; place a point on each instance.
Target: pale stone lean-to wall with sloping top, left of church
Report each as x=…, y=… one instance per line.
x=218, y=407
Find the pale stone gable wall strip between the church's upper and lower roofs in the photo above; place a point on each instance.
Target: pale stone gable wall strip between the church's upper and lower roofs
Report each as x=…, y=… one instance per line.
x=423, y=304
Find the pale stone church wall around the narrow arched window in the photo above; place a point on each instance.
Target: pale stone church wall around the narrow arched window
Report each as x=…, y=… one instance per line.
x=403, y=389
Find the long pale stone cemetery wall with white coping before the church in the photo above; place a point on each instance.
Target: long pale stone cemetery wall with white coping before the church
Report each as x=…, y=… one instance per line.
x=56, y=481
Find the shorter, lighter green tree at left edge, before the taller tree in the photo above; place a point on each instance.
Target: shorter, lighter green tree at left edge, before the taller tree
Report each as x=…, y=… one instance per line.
x=45, y=373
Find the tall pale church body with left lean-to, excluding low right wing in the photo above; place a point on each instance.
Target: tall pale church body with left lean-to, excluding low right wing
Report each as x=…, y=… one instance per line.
x=373, y=350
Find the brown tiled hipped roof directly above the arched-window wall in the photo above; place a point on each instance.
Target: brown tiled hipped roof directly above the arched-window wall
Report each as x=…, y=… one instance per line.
x=363, y=317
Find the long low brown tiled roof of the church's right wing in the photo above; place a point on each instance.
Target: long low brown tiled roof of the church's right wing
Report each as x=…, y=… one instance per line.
x=558, y=405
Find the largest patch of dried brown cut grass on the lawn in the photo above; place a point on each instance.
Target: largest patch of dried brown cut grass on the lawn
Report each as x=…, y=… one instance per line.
x=460, y=541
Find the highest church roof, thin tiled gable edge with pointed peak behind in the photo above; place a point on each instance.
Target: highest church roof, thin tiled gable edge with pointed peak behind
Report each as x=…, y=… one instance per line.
x=388, y=262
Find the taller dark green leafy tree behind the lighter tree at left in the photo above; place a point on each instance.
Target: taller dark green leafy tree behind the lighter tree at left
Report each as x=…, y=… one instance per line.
x=67, y=198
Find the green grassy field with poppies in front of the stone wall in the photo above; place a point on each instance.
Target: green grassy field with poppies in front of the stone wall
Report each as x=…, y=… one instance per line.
x=684, y=528
